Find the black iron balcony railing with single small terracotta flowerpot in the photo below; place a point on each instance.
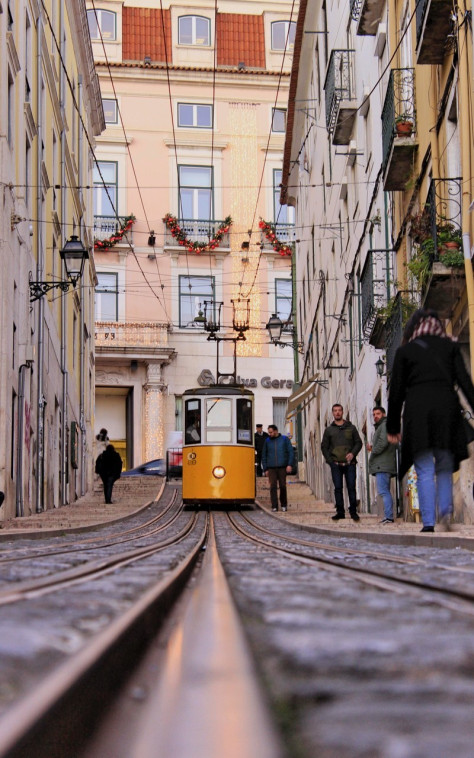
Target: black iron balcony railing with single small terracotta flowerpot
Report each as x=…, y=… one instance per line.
x=399, y=104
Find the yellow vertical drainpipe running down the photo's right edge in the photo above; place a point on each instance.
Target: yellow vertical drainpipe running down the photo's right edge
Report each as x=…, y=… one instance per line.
x=465, y=117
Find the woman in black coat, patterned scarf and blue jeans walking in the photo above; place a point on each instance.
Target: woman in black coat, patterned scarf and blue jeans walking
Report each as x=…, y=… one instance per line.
x=427, y=368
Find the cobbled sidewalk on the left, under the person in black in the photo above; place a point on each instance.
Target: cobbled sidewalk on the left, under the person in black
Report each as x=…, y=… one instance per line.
x=129, y=495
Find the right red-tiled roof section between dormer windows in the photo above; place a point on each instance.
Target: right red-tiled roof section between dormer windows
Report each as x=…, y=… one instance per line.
x=240, y=39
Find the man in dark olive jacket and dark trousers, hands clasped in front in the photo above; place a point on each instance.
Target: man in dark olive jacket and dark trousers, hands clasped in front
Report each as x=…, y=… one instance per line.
x=340, y=445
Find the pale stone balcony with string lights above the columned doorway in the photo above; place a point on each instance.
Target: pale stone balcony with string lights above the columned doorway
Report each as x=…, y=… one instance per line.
x=131, y=339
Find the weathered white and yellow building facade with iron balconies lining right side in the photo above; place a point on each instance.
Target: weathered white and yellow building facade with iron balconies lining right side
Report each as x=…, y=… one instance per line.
x=377, y=160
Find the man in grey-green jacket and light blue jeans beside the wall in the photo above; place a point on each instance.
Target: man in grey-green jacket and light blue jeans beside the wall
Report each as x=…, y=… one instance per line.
x=382, y=462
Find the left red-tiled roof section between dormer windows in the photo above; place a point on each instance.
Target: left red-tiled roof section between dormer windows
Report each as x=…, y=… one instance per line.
x=142, y=34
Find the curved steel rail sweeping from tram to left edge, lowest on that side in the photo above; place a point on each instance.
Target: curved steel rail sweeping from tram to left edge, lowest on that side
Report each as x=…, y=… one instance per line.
x=87, y=572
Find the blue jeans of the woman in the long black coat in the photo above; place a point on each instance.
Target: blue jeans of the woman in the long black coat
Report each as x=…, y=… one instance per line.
x=434, y=473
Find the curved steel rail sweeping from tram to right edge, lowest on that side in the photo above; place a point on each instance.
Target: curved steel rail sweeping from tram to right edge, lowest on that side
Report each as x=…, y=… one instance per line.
x=442, y=595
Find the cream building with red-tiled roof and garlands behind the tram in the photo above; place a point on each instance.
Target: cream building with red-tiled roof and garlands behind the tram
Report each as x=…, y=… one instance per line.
x=195, y=107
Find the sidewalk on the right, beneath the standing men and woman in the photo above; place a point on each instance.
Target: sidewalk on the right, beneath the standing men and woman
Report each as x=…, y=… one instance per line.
x=306, y=510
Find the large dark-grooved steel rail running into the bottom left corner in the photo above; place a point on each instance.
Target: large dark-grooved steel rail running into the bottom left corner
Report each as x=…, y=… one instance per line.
x=54, y=719
